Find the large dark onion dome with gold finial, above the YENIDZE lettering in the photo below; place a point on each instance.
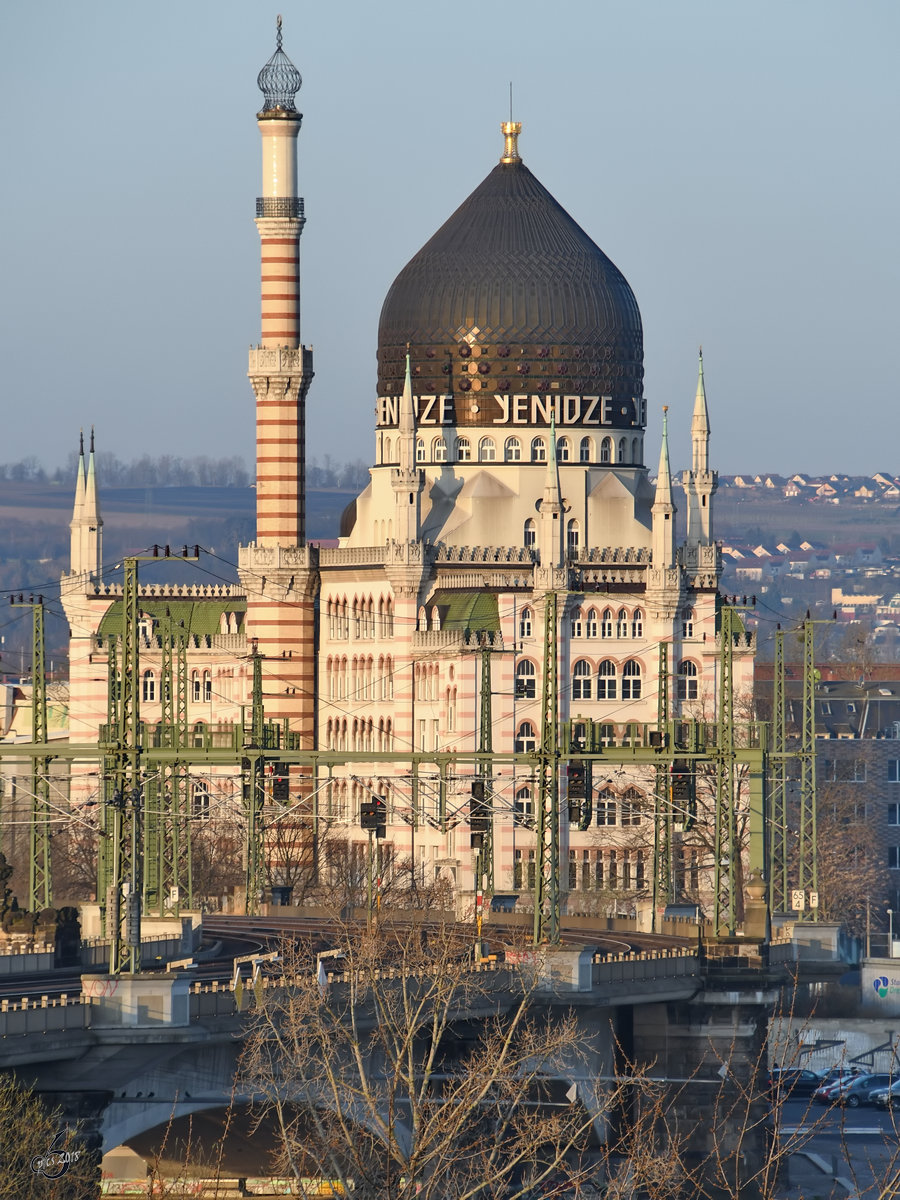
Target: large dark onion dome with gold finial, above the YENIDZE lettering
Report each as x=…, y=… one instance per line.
x=509, y=297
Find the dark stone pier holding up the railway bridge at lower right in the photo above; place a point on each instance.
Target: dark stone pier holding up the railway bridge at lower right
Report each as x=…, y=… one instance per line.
x=709, y=1053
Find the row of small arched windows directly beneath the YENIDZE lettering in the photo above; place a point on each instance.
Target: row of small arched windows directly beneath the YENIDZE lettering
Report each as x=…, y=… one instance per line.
x=514, y=449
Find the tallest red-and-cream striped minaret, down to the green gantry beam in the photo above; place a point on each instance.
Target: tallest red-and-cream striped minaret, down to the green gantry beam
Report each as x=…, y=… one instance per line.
x=278, y=569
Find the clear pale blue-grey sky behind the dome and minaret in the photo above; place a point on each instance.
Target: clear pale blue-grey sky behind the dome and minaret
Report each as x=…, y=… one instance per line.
x=736, y=160
